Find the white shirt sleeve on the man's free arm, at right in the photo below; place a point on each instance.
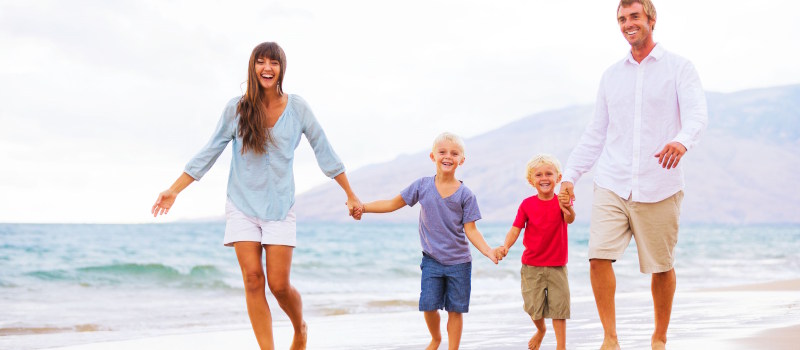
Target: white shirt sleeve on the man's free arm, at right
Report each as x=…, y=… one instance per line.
x=692, y=105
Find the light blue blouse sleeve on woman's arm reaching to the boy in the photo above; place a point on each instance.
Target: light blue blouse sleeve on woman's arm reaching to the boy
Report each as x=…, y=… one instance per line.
x=328, y=161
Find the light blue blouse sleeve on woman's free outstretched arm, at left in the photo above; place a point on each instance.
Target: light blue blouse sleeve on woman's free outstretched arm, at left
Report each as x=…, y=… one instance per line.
x=224, y=133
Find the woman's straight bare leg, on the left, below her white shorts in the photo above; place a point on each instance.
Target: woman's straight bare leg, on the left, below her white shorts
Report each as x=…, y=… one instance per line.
x=249, y=256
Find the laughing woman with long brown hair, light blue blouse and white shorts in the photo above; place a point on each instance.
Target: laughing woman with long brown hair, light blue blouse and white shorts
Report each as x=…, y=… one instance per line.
x=265, y=126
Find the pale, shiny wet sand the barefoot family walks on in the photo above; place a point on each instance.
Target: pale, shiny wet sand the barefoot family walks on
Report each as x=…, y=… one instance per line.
x=765, y=316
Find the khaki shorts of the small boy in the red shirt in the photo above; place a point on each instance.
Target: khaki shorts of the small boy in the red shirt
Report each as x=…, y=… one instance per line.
x=545, y=291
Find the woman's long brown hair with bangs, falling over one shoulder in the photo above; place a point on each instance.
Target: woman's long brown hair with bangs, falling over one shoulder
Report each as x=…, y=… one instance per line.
x=252, y=116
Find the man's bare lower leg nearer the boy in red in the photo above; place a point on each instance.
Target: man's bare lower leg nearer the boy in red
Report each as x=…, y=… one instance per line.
x=604, y=286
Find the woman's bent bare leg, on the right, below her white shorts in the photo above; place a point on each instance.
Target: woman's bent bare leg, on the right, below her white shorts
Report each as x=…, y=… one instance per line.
x=279, y=263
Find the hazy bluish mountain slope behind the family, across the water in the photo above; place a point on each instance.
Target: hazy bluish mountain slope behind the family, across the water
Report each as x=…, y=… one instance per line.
x=744, y=171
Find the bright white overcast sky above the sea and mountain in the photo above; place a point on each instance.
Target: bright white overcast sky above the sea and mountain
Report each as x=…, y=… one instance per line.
x=102, y=103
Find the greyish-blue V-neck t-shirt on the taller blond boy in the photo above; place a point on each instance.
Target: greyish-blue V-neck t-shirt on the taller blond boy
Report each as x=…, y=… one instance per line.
x=441, y=220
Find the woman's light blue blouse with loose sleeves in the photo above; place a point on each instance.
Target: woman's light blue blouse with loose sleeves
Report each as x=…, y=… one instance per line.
x=263, y=185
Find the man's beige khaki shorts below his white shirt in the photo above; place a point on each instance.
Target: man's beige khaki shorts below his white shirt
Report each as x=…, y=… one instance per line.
x=654, y=227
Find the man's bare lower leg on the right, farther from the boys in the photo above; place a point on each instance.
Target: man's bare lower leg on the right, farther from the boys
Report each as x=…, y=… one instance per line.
x=663, y=288
